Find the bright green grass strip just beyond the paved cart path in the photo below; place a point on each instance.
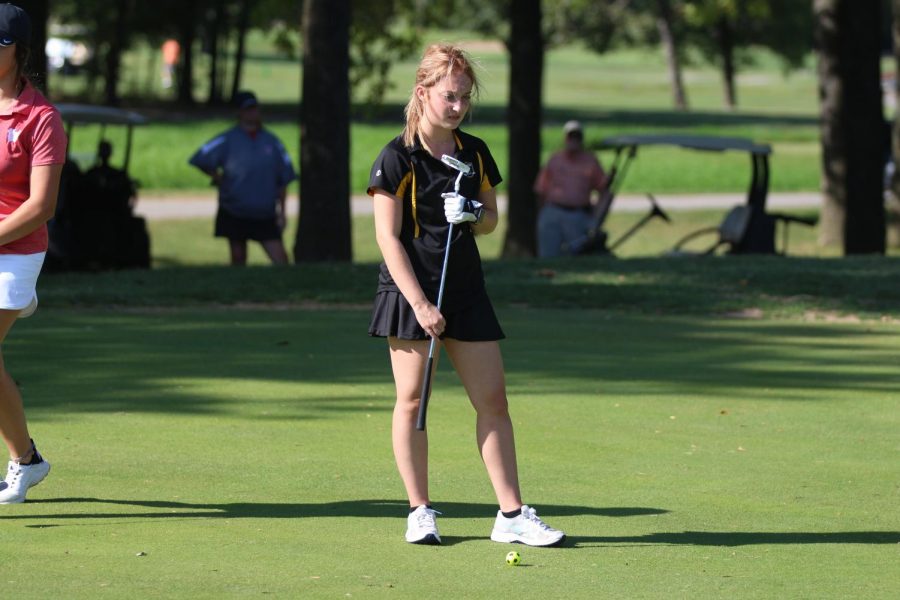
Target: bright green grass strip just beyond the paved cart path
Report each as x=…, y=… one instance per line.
x=161, y=153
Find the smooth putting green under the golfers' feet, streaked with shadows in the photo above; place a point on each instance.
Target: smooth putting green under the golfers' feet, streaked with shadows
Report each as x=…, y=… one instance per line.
x=217, y=452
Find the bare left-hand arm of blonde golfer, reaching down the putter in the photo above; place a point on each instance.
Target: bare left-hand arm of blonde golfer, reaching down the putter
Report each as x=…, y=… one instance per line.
x=388, y=220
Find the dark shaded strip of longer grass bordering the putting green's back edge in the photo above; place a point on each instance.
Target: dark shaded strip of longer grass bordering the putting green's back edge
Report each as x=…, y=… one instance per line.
x=751, y=286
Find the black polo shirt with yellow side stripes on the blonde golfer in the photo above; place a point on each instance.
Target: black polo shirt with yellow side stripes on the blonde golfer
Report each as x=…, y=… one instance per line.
x=419, y=179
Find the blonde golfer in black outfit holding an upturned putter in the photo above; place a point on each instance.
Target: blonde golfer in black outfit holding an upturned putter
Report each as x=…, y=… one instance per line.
x=415, y=203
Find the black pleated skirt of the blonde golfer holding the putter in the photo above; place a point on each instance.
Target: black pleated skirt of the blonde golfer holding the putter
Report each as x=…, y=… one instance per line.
x=392, y=316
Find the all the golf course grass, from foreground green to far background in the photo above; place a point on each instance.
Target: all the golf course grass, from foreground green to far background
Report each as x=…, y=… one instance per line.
x=719, y=427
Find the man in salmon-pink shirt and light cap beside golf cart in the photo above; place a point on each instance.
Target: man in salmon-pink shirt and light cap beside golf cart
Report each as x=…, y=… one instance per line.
x=565, y=186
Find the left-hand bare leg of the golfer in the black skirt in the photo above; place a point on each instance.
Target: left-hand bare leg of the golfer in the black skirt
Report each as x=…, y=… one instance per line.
x=410, y=445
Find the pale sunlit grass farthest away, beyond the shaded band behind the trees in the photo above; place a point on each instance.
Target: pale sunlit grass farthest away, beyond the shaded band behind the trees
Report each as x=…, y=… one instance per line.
x=575, y=78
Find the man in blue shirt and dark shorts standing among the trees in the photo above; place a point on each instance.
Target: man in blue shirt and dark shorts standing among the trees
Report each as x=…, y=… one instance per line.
x=252, y=170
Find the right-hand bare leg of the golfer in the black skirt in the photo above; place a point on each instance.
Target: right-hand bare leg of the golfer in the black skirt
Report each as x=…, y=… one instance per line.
x=480, y=367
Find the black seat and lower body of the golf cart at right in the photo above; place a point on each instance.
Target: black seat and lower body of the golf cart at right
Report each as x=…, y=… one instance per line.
x=745, y=230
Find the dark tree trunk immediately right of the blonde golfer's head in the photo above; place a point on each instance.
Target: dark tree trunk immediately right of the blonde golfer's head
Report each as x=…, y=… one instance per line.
x=526, y=61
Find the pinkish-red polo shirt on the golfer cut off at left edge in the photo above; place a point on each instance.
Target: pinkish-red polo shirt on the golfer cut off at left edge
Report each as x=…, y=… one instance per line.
x=35, y=136
